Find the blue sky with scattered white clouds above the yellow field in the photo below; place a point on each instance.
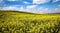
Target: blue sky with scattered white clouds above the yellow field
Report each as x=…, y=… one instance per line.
x=35, y=6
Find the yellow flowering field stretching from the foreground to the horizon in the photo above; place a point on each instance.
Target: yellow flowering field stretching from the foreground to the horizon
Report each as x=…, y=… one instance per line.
x=25, y=22
